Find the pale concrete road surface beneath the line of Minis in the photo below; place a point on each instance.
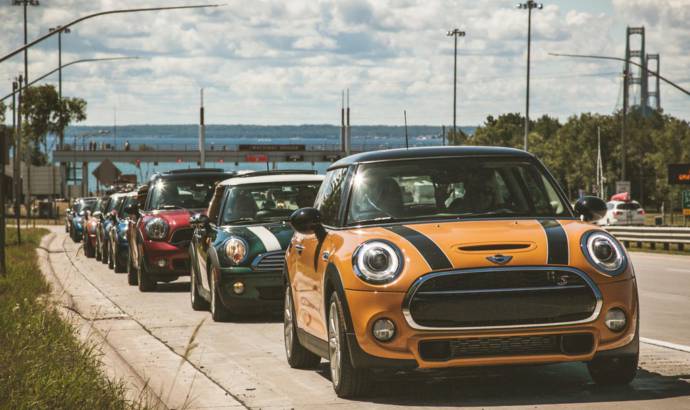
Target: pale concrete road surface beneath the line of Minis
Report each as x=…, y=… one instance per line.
x=245, y=360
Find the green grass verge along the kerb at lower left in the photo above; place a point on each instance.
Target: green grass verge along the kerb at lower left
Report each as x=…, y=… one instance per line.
x=42, y=363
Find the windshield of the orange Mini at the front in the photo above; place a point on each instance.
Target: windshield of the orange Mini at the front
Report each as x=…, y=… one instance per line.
x=452, y=188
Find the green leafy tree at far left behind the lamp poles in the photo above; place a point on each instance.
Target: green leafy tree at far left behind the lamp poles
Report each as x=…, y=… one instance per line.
x=45, y=113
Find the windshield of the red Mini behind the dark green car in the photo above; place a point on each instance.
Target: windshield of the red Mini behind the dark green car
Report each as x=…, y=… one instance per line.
x=182, y=193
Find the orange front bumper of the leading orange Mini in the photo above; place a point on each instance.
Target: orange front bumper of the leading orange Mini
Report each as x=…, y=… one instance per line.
x=404, y=349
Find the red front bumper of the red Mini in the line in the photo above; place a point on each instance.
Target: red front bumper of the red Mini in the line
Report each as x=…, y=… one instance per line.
x=166, y=260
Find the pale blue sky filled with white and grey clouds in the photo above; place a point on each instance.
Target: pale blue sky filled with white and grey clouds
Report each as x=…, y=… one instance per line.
x=286, y=62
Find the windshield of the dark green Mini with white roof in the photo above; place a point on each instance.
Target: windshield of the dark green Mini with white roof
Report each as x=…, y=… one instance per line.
x=266, y=202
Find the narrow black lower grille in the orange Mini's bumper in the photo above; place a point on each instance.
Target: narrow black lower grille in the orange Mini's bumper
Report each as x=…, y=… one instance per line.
x=442, y=350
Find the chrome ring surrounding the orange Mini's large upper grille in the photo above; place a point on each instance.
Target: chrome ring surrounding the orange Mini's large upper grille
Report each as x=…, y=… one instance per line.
x=420, y=281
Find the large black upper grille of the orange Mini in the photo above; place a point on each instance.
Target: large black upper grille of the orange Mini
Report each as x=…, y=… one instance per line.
x=501, y=297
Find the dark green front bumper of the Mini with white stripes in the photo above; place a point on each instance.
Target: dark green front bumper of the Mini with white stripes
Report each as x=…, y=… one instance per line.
x=262, y=290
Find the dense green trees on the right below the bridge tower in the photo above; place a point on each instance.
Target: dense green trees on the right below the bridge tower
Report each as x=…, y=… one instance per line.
x=569, y=150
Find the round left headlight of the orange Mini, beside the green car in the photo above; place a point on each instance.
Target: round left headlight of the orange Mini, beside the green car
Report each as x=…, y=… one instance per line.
x=377, y=262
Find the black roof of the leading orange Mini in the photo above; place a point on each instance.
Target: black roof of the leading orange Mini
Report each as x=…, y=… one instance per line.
x=429, y=152
